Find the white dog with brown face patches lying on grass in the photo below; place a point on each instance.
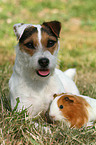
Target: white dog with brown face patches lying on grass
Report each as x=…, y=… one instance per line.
x=35, y=78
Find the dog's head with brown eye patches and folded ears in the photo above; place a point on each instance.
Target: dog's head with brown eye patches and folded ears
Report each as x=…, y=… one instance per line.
x=38, y=47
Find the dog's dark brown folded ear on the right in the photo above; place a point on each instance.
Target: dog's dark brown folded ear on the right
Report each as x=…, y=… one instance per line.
x=55, y=27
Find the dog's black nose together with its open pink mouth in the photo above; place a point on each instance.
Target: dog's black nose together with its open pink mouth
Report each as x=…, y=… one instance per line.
x=43, y=71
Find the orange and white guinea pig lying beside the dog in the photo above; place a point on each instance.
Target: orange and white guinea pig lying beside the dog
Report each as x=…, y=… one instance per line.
x=75, y=111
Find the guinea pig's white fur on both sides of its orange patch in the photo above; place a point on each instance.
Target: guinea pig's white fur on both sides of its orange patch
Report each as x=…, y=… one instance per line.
x=58, y=115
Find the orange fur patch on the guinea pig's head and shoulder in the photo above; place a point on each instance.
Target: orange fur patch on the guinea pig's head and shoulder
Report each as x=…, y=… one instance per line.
x=74, y=110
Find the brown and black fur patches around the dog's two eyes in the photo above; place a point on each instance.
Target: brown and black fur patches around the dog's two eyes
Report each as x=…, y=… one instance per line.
x=31, y=35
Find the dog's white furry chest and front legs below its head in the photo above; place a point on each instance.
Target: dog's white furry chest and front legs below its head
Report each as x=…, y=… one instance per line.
x=35, y=93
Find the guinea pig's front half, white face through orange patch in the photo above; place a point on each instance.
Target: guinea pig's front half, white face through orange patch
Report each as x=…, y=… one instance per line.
x=69, y=108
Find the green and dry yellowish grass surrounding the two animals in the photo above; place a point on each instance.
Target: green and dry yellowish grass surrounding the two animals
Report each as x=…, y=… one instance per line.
x=78, y=49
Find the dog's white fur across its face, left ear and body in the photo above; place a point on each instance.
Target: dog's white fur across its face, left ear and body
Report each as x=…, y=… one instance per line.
x=34, y=91
